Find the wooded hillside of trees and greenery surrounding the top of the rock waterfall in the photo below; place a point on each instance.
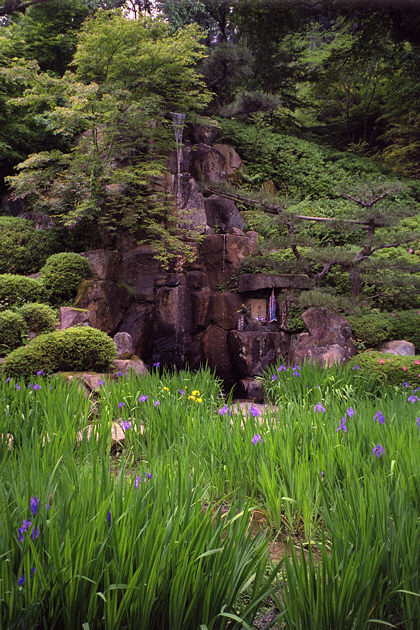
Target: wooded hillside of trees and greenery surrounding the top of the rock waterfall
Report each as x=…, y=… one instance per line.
x=320, y=98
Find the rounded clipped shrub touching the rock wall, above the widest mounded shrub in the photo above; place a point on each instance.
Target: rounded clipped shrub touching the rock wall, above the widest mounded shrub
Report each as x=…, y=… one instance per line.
x=62, y=274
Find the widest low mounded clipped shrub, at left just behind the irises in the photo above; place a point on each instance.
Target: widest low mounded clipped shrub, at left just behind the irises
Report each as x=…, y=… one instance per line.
x=74, y=349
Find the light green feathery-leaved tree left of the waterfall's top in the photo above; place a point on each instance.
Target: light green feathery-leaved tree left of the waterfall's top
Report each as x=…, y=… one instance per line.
x=115, y=119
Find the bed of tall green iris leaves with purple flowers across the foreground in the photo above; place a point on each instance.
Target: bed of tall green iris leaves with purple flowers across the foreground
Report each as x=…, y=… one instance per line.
x=175, y=549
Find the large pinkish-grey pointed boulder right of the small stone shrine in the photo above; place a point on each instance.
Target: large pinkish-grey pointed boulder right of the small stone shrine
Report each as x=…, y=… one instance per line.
x=328, y=341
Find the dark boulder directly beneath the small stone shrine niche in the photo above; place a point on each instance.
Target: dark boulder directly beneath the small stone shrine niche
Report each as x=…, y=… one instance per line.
x=252, y=351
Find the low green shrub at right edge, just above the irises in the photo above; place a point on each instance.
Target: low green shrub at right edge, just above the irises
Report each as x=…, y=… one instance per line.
x=393, y=369
